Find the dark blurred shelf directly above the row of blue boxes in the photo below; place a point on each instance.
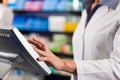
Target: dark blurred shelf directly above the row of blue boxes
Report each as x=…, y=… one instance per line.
x=48, y=13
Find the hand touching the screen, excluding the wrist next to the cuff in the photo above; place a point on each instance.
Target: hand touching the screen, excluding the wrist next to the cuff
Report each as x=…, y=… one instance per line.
x=45, y=54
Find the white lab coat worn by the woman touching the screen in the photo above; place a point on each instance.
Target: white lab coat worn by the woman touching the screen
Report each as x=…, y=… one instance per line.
x=96, y=48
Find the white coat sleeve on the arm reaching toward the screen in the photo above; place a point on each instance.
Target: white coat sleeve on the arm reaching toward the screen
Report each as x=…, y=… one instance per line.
x=105, y=69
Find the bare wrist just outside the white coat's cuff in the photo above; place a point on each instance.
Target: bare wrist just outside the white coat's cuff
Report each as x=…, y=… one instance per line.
x=69, y=66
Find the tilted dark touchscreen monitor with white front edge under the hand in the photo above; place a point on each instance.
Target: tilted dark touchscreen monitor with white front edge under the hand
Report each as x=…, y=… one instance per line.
x=17, y=51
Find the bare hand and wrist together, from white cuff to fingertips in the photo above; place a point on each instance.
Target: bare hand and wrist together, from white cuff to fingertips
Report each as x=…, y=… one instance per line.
x=50, y=59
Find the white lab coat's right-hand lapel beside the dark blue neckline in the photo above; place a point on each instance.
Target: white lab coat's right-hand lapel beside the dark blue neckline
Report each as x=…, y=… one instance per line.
x=98, y=15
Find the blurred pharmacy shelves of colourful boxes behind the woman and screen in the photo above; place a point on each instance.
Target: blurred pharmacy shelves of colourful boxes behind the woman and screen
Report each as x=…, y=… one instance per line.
x=52, y=20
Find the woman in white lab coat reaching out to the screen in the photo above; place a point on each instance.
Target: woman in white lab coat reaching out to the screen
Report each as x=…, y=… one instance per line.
x=96, y=44
